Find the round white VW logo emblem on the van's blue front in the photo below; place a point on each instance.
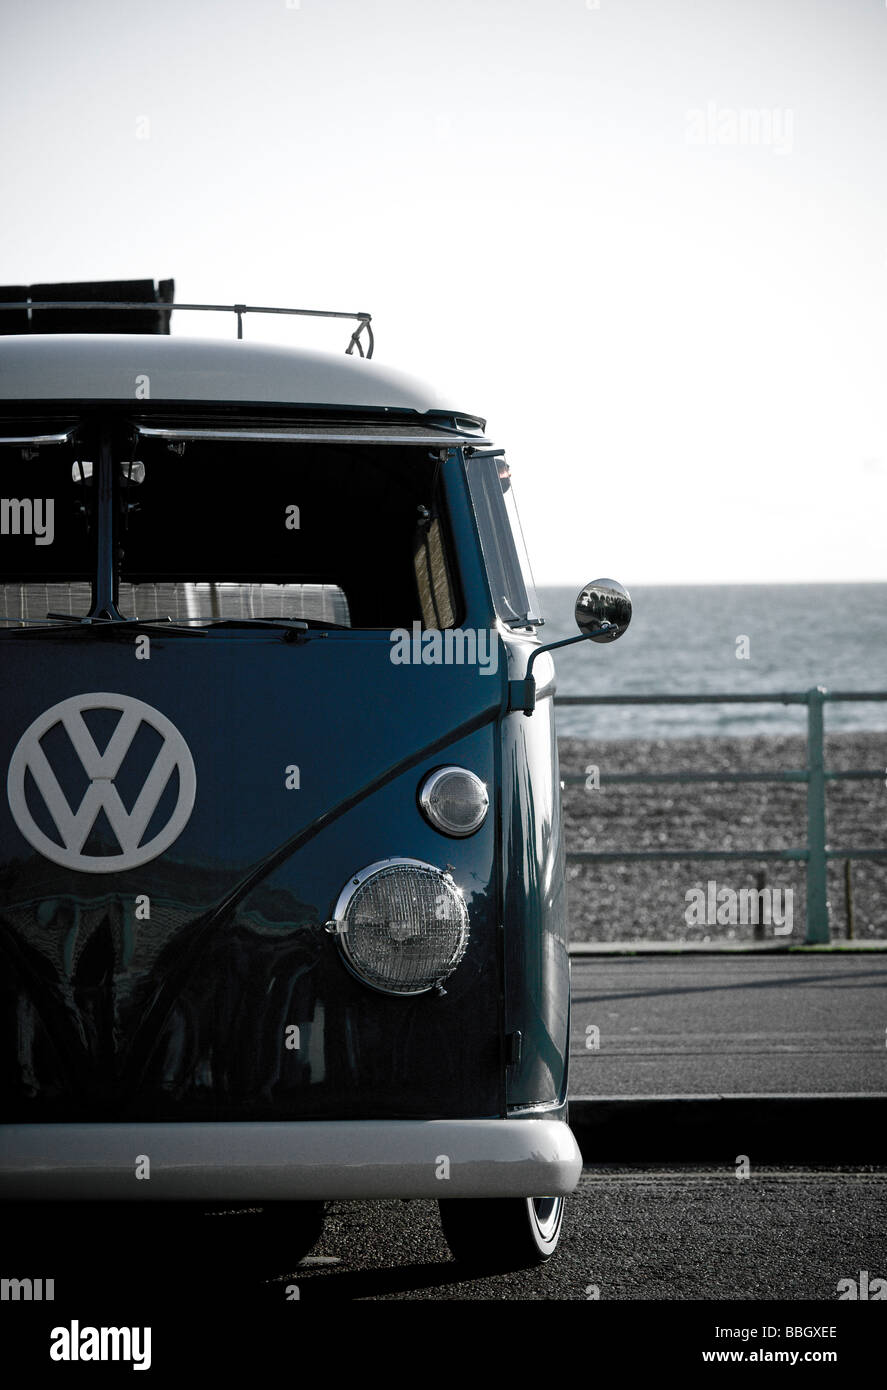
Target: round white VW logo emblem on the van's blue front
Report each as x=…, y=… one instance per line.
x=129, y=826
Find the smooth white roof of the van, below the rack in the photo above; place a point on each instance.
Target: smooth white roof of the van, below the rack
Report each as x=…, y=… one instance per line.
x=108, y=368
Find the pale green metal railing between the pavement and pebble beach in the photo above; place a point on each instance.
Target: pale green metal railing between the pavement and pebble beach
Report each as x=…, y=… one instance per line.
x=817, y=853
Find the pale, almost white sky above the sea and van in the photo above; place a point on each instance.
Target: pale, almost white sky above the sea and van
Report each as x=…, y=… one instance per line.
x=646, y=240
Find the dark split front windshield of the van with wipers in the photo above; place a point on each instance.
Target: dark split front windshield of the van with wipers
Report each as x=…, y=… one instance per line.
x=344, y=536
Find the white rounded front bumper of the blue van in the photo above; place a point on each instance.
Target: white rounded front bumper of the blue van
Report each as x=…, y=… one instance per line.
x=305, y=1160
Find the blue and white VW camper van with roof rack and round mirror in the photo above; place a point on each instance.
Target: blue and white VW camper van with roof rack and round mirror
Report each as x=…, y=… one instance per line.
x=282, y=862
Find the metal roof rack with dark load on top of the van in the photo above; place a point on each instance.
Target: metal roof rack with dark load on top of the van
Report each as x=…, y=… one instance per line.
x=40, y=315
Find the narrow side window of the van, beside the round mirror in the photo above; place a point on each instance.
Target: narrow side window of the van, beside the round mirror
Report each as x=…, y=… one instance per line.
x=503, y=541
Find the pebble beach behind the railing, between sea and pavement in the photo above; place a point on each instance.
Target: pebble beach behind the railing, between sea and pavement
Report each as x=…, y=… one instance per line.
x=651, y=901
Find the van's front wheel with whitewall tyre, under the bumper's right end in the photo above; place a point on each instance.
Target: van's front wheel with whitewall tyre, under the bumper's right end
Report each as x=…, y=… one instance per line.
x=508, y=1232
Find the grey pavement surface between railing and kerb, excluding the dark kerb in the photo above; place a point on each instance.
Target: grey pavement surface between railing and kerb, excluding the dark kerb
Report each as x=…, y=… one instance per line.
x=669, y=1025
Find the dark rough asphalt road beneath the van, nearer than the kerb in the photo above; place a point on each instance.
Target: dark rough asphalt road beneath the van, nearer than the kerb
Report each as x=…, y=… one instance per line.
x=658, y=1234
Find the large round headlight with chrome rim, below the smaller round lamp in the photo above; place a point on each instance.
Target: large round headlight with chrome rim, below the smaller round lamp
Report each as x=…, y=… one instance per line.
x=402, y=926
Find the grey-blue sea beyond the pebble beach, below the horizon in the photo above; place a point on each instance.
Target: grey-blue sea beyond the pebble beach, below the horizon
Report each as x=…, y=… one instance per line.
x=725, y=639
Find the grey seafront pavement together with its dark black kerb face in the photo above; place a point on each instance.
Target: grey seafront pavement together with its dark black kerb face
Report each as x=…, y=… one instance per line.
x=699, y=1057
